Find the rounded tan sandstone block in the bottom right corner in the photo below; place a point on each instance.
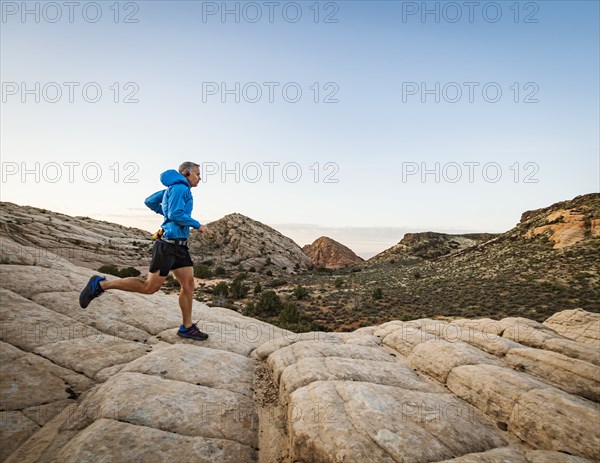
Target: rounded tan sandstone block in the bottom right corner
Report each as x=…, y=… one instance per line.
x=553, y=420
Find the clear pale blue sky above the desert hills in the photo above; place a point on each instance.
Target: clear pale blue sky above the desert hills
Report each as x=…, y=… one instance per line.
x=378, y=59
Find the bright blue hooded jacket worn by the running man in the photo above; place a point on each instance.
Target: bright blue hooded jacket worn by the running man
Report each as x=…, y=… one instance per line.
x=175, y=204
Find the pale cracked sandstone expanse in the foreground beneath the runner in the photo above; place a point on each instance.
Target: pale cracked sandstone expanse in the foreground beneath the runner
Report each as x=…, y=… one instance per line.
x=113, y=383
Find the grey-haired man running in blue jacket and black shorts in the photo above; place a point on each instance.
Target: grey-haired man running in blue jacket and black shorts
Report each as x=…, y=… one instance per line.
x=170, y=250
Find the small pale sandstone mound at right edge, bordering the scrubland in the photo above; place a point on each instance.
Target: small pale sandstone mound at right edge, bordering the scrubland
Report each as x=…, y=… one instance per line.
x=578, y=325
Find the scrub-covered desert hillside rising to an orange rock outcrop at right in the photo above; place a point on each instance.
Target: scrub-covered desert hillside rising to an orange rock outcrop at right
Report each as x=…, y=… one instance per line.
x=545, y=264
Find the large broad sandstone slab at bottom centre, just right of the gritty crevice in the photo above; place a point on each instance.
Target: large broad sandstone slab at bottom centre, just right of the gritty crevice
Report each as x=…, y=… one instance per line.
x=369, y=422
